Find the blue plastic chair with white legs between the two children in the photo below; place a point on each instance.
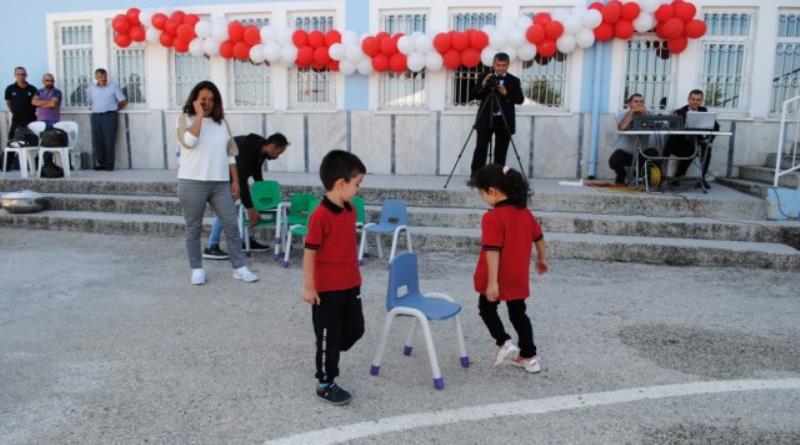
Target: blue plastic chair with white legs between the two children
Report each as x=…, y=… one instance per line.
x=404, y=299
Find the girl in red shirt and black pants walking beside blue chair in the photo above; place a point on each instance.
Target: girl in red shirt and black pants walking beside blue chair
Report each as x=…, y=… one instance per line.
x=508, y=232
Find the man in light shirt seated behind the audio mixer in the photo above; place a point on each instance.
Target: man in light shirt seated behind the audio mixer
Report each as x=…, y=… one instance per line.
x=626, y=144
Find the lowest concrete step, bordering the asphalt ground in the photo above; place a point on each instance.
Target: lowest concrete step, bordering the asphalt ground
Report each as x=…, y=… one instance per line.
x=668, y=251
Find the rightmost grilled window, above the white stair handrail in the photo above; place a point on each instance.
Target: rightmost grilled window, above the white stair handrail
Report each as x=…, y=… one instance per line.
x=786, y=78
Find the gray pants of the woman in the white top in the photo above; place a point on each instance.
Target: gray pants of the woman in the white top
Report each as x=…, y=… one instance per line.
x=193, y=196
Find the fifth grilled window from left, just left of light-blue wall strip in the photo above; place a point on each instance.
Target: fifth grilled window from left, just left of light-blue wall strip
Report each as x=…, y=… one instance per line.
x=307, y=86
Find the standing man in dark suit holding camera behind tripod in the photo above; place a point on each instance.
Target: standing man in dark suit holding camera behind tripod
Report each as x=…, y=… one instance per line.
x=506, y=88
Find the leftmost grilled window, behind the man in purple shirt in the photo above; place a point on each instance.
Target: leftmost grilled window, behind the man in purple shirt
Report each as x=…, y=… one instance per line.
x=74, y=62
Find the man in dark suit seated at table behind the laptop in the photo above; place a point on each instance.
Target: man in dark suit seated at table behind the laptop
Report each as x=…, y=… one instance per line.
x=683, y=146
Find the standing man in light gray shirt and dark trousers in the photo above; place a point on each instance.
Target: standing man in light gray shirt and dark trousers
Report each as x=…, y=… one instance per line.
x=105, y=100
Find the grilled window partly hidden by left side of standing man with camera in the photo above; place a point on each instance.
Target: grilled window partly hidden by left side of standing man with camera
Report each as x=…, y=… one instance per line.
x=462, y=80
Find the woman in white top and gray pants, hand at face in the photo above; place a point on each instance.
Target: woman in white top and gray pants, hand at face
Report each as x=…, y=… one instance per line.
x=207, y=174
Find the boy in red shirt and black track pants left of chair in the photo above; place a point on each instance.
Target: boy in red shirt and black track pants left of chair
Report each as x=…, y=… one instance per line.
x=330, y=268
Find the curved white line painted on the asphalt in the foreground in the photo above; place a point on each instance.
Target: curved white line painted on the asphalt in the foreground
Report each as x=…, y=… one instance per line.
x=527, y=407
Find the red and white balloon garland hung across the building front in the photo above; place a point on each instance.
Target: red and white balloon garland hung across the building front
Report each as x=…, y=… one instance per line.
x=539, y=36
